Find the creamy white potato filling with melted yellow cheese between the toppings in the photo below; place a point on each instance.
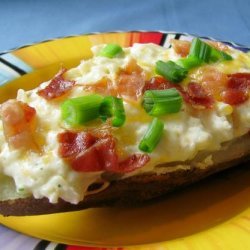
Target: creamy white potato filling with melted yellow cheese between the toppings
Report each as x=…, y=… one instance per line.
x=185, y=134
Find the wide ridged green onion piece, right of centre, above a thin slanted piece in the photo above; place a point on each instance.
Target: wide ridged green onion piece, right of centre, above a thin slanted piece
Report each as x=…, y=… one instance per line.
x=161, y=102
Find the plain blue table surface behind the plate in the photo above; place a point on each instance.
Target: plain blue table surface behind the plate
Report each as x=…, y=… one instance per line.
x=28, y=21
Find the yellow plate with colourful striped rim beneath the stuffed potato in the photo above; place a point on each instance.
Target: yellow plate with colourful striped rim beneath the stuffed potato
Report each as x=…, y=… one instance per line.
x=213, y=214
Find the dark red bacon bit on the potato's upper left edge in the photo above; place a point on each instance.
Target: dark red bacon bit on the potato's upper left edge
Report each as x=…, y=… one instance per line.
x=57, y=87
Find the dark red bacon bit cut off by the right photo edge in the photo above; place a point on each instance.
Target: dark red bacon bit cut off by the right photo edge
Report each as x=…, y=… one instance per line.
x=238, y=88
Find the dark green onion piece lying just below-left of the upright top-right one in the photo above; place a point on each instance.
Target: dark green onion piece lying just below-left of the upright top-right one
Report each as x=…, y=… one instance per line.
x=171, y=71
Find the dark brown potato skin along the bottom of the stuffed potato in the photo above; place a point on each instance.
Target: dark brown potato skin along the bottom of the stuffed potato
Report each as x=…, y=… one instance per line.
x=126, y=192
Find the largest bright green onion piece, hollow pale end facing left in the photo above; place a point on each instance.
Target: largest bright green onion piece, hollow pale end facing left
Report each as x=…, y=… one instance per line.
x=77, y=111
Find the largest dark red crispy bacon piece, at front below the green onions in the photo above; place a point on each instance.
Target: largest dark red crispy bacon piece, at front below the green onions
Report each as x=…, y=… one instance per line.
x=87, y=153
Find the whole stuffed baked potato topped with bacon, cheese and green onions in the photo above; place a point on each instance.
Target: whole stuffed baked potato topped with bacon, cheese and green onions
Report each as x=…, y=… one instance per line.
x=125, y=126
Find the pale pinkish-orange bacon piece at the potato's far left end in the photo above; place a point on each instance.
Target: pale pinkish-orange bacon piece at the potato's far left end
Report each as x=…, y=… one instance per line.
x=19, y=124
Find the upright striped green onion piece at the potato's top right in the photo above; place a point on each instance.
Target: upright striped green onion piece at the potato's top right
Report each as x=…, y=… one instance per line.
x=200, y=50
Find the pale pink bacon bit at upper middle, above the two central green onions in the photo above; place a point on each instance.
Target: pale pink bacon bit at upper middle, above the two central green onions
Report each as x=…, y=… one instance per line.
x=131, y=81
